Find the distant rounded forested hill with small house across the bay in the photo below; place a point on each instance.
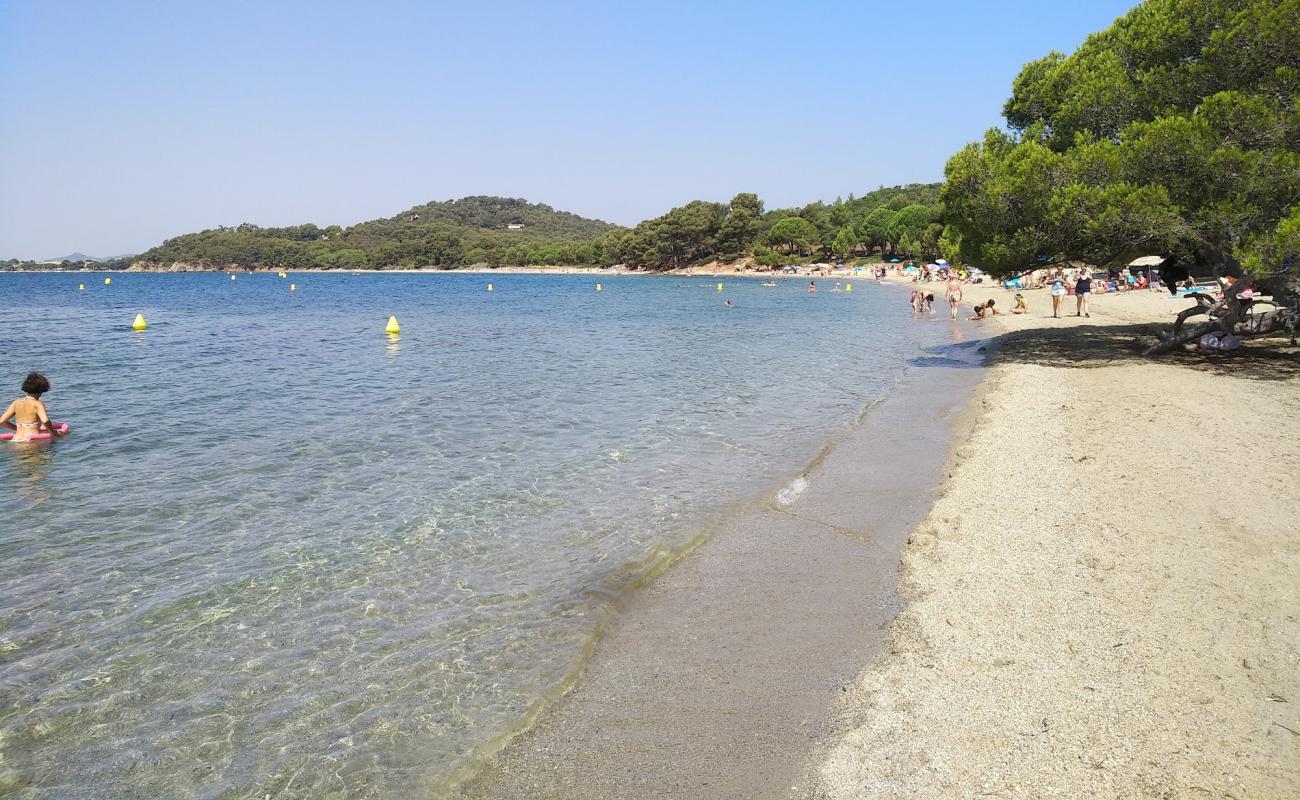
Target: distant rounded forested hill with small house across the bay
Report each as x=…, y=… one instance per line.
x=470, y=231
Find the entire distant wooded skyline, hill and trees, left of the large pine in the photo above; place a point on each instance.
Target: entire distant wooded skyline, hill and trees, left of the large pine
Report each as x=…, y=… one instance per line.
x=496, y=232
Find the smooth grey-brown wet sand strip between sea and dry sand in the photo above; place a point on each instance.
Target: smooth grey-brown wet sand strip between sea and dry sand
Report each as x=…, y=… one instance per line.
x=721, y=677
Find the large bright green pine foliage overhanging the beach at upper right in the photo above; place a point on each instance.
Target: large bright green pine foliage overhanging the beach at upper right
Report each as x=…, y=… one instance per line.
x=1176, y=131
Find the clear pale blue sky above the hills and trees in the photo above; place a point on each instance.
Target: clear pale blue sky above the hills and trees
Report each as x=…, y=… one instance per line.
x=128, y=123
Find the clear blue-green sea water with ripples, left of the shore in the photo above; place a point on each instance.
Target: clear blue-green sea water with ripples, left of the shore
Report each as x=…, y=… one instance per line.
x=284, y=555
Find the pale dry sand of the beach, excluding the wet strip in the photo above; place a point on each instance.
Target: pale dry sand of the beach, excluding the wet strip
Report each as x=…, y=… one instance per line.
x=1106, y=600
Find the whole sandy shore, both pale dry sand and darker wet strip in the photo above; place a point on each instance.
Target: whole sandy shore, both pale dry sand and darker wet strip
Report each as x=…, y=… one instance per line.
x=1080, y=615
